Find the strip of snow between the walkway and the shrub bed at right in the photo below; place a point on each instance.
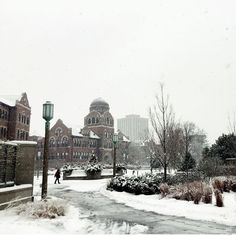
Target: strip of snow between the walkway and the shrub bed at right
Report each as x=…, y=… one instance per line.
x=169, y=206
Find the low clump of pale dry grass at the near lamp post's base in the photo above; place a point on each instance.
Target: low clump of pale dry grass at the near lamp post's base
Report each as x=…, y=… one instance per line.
x=51, y=208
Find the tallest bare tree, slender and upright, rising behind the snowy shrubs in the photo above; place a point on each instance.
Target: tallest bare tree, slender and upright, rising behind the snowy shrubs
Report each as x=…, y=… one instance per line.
x=163, y=124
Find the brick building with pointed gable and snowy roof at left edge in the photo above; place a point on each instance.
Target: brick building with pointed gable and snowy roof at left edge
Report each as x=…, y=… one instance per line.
x=15, y=115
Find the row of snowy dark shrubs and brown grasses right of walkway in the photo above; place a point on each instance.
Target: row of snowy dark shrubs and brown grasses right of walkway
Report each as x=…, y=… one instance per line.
x=195, y=191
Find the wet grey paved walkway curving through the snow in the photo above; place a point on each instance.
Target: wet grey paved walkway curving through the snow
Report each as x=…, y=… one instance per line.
x=99, y=208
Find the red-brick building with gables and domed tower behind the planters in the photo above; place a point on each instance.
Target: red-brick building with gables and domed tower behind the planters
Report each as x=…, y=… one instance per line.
x=66, y=145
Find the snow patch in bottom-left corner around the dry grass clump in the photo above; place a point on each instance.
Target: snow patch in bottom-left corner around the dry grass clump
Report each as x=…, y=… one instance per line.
x=23, y=220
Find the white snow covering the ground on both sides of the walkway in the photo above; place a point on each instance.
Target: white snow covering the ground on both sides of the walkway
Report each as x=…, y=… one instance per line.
x=76, y=222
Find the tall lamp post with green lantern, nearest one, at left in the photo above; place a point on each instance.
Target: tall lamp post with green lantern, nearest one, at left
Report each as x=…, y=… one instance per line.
x=48, y=109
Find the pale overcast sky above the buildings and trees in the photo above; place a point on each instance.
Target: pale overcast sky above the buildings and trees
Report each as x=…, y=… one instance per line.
x=71, y=52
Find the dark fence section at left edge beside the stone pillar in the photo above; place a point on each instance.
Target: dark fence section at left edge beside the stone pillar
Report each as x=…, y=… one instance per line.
x=8, y=152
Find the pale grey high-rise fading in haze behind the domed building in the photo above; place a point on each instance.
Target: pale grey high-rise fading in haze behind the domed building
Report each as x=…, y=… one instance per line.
x=133, y=126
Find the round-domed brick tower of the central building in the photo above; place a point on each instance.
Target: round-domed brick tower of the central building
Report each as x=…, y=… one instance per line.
x=101, y=122
